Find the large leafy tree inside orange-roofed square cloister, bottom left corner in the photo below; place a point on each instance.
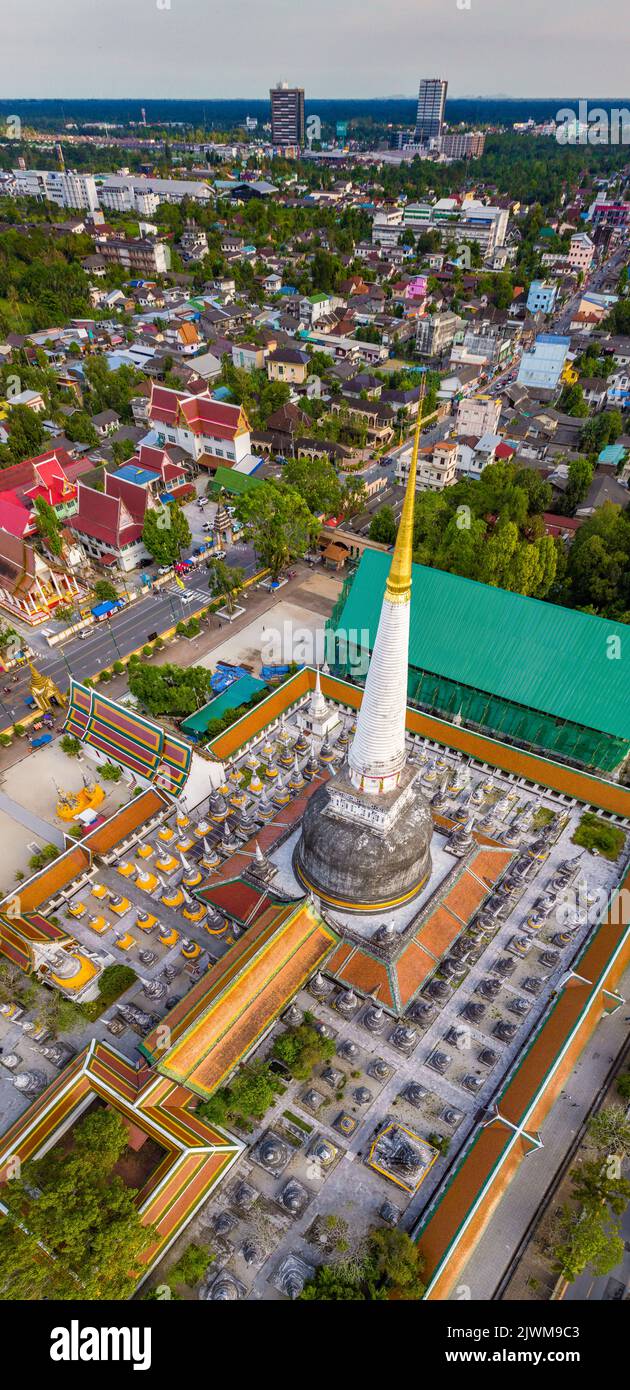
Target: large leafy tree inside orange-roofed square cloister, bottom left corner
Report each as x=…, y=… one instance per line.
x=73, y=1228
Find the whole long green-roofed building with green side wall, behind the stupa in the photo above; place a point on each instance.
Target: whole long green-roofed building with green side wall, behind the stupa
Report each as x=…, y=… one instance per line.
x=535, y=675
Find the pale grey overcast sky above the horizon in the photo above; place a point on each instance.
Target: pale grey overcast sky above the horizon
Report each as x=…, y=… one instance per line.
x=332, y=48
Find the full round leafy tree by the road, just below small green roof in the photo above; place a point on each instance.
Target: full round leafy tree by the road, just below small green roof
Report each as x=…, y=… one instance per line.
x=277, y=523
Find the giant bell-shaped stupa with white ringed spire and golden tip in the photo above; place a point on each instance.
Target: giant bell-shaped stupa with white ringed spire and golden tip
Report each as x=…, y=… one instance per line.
x=366, y=833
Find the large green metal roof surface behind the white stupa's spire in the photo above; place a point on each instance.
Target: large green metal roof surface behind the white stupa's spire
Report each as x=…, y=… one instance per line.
x=538, y=655
